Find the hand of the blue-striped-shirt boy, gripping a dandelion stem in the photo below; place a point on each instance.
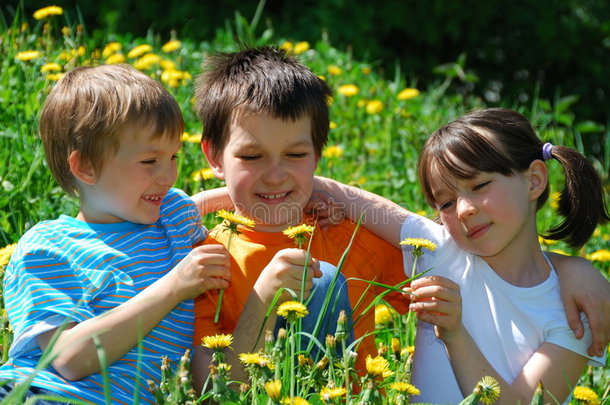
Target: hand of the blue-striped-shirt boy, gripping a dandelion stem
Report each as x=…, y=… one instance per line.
x=205, y=268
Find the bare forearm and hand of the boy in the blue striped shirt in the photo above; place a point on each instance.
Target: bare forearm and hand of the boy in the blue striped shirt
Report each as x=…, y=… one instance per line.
x=119, y=330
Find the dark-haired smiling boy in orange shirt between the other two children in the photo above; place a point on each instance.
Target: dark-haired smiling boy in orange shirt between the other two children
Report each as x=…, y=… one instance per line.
x=265, y=122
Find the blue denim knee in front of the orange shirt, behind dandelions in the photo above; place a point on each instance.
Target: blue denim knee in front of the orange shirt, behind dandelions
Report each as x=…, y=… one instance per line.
x=338, y=301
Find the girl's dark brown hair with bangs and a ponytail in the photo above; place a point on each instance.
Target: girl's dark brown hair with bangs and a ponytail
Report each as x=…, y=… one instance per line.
x=503, y=141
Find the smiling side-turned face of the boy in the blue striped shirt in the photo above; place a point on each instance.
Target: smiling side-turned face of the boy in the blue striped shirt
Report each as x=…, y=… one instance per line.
x=132, y=182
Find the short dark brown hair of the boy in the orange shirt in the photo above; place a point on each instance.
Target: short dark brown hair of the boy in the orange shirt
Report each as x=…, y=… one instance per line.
x=259, y=81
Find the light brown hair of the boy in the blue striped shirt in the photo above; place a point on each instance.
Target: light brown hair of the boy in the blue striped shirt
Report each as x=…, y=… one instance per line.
x=88, y=108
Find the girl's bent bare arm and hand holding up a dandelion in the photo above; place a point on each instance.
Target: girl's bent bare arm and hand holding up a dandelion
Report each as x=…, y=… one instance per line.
x=557, y=368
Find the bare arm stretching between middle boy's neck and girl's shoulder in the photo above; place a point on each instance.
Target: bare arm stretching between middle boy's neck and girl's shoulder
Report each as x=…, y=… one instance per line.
x=380, y=215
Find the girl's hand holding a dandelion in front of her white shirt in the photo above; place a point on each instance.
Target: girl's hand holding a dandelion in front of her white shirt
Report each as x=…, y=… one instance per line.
x=437, y=300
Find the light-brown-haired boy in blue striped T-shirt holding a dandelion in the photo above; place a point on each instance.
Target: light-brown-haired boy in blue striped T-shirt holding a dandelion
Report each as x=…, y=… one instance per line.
x=120, y=277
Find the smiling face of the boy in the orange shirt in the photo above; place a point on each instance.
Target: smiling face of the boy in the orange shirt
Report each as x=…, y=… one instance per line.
x=268, y=165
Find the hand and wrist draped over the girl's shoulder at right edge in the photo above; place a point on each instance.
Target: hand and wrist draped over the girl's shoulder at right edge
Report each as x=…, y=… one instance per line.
x=584, y=288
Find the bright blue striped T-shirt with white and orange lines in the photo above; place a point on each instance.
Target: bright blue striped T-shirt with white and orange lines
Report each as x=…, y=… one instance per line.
x=66, y=270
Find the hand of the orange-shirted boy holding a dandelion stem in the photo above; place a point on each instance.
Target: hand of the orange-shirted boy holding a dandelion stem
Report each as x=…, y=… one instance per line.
x=286, y=270
